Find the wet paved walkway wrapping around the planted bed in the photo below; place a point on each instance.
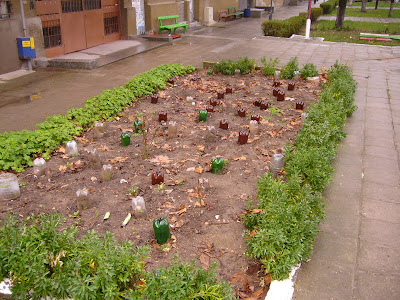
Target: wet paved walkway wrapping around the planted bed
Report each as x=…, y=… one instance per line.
x=356, y=253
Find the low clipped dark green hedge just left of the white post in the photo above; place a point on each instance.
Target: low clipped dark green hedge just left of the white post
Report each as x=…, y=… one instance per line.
x=283, y=28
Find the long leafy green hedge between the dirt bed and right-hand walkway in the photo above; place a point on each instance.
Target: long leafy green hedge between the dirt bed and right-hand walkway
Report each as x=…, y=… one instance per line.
x=282, y=234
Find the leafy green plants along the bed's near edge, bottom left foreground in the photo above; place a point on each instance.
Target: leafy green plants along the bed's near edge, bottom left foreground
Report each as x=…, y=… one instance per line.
x=44, y=259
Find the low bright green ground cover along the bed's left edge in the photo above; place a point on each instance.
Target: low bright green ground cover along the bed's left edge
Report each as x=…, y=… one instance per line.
x=20, y=148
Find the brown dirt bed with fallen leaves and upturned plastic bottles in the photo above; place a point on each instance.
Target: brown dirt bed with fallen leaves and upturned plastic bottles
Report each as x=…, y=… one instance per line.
x=205, y=221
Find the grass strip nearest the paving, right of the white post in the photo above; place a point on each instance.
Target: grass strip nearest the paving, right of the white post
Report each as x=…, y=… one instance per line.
x=350, y=32
